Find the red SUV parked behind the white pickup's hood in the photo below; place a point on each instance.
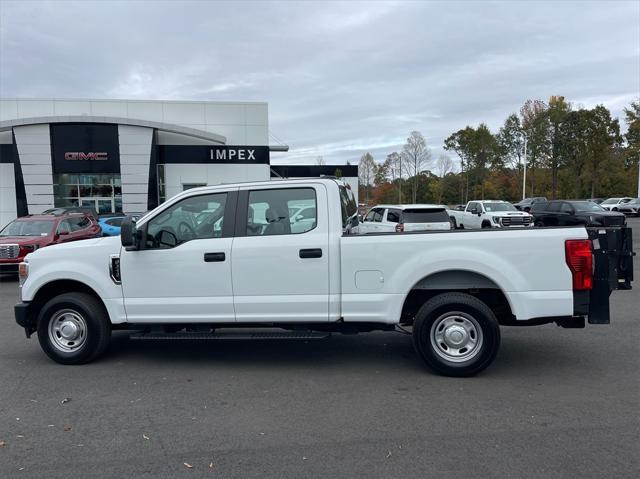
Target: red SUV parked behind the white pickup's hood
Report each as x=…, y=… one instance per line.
x=26, y=234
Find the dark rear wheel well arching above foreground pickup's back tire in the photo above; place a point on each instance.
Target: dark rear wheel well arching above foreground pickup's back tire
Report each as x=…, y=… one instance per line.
x=468, y=282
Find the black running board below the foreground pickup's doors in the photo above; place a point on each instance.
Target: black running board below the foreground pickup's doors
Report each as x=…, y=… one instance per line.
x=230, y=336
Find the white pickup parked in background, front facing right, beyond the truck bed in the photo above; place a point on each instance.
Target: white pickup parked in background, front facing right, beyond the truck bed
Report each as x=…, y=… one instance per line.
x=483, y=214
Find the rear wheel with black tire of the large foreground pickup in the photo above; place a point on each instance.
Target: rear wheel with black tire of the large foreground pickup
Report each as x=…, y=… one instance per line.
x=445, y=308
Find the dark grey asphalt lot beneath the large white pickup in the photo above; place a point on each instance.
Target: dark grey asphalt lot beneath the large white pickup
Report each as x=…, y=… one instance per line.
x=556, y=403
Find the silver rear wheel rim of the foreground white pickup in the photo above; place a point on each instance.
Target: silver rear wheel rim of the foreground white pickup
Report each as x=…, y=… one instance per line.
x=456, y=337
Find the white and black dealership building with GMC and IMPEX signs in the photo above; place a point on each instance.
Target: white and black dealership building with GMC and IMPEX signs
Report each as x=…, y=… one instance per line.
x=131, y=155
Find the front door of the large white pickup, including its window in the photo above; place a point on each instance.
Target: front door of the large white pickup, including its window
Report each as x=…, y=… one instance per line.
x=182, y=273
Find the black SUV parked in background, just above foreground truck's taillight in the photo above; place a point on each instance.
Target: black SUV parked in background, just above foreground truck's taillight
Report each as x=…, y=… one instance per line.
x=573, y=213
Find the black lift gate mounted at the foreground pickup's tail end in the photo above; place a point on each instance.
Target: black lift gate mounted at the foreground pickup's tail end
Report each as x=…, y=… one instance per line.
x=613, y=268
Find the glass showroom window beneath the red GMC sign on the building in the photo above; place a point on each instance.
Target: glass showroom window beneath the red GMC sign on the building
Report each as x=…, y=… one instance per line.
x=102, y=192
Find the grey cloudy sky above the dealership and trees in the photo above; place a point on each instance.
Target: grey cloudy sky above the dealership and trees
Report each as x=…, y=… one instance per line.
x=341, y=78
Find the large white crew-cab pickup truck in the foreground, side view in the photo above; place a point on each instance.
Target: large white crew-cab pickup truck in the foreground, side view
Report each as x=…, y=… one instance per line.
x=221, y=257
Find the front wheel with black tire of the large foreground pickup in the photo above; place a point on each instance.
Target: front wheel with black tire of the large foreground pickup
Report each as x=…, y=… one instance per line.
x=82, y=313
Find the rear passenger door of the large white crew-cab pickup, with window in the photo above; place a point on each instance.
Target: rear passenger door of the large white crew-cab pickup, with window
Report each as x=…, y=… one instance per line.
x=278, y=274
